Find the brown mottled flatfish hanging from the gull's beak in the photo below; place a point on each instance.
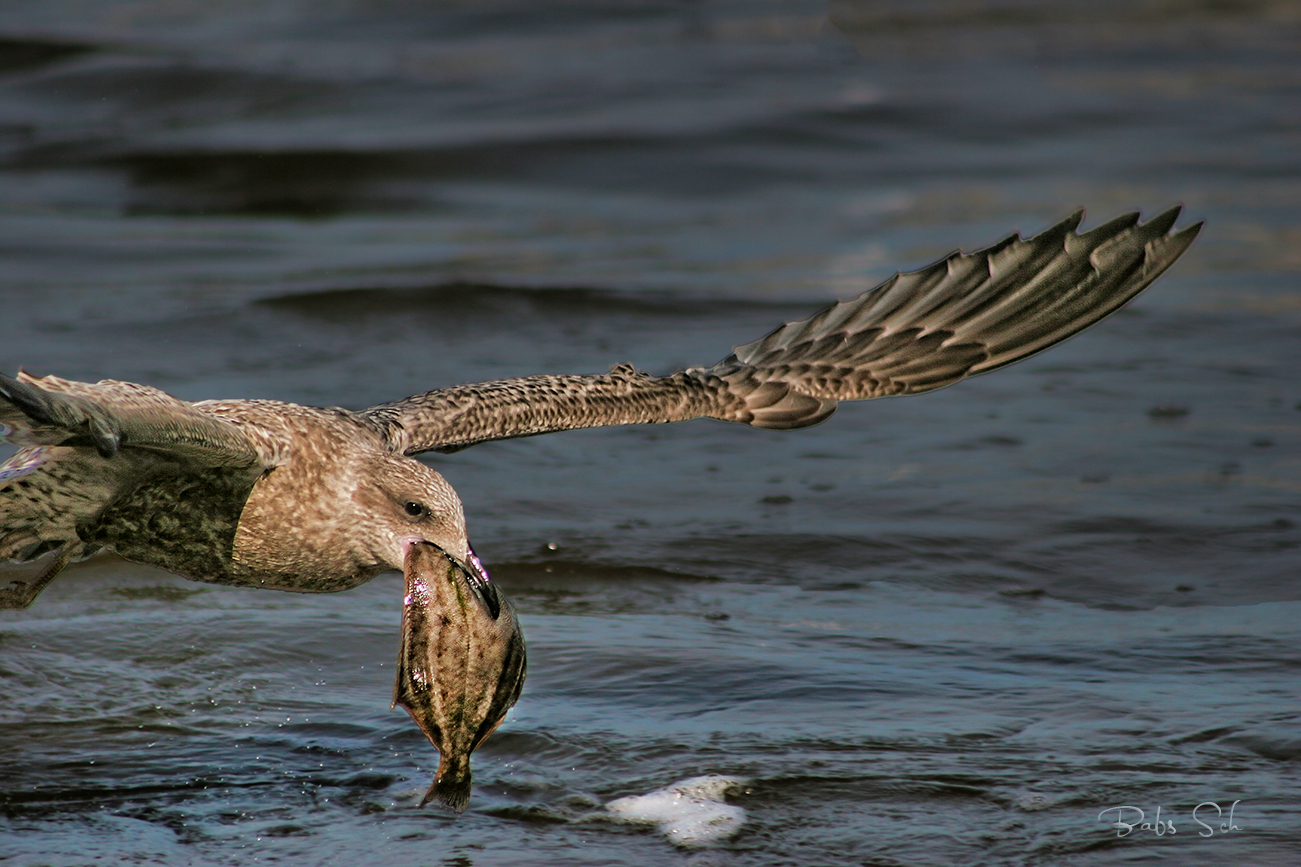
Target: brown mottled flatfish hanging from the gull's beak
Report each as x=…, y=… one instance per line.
x=463, y=662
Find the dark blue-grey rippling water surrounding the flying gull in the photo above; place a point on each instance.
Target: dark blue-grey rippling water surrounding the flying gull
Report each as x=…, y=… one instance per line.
x=950, y=629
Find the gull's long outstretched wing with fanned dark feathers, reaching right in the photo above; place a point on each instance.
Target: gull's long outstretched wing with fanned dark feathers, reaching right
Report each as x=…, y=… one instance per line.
x=965, y=316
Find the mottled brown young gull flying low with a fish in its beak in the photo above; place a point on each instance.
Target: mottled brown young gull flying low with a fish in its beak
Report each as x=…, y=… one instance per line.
x=265, y=494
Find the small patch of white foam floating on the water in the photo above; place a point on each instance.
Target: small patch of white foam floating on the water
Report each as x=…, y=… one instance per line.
x=691, y=813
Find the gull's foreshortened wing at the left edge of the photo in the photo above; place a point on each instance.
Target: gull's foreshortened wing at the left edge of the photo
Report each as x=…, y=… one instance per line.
x=110, y=416
